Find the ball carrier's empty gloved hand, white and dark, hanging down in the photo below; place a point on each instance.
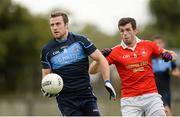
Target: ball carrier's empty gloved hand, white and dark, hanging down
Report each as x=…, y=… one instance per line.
x=110, y=89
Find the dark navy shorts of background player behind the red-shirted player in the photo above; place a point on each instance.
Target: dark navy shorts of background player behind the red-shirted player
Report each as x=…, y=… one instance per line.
x=166, y=98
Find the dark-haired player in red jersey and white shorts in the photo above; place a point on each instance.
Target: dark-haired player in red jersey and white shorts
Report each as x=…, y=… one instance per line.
x=132, y=59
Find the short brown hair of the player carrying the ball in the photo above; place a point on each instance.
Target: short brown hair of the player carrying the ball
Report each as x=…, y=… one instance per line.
x=59, y=13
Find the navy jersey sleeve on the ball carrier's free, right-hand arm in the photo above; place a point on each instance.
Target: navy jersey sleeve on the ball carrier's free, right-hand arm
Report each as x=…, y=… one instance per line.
x=88, y=46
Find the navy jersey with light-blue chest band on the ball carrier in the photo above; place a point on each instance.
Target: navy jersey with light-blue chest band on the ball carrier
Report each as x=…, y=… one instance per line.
x=69, y=59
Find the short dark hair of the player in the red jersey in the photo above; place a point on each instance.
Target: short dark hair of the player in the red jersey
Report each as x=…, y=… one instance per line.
x=126, y=20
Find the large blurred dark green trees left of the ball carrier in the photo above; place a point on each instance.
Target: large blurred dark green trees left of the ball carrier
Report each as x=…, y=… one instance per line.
x=21, y=37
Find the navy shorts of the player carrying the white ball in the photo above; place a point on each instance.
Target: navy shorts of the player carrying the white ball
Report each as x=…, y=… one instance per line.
x=84, y=104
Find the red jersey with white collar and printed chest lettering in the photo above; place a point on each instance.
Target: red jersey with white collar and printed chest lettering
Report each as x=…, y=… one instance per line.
x=135, y=68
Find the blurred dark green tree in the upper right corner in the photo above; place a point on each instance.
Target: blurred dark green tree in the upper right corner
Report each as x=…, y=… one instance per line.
x=166, y=21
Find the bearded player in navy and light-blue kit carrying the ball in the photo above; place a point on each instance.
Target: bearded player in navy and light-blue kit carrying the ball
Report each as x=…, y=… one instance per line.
x=67, y=55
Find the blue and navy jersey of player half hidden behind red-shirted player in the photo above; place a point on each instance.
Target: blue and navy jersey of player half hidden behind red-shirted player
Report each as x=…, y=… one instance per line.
x=162, y=73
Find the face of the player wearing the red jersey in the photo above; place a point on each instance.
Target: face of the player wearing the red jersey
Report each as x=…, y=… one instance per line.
x=127, y=34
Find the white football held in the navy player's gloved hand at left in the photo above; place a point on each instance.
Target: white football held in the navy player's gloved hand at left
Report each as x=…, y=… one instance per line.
x=52, y=83
